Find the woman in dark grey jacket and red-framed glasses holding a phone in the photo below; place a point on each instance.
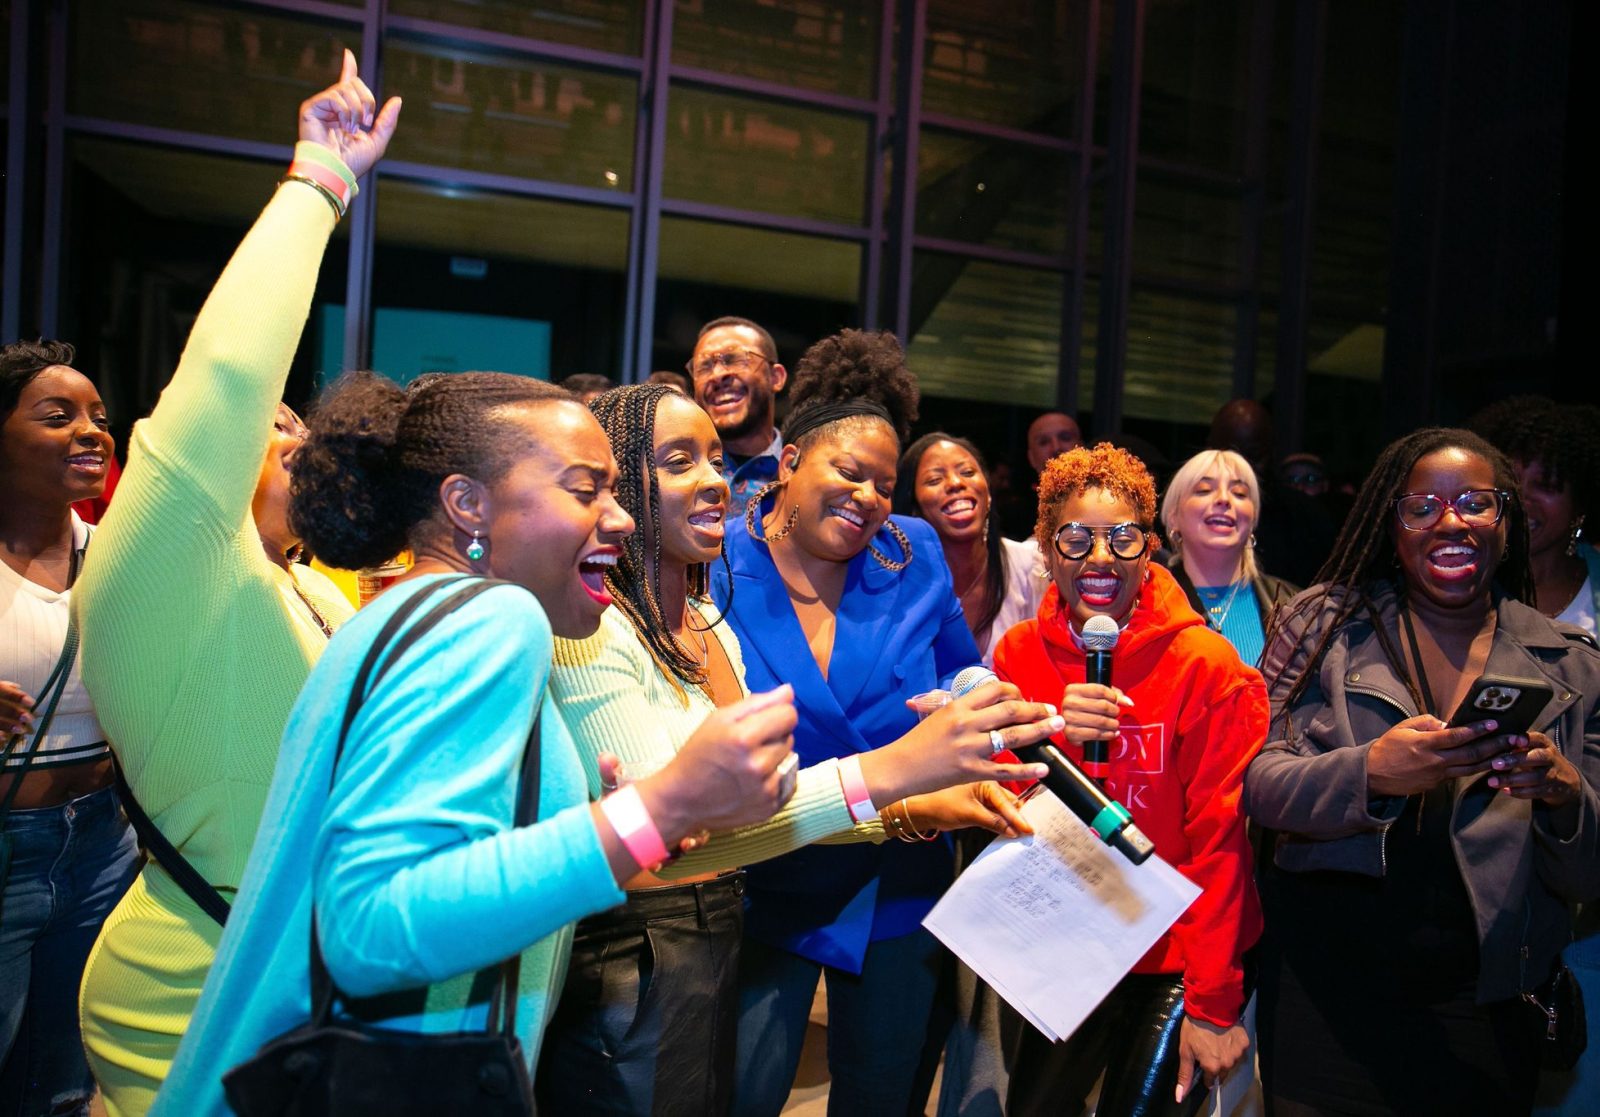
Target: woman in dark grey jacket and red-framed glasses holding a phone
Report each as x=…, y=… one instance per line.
x=1420, y=875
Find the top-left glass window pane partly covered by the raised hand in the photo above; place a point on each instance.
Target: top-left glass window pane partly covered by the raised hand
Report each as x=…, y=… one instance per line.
x=242, y=73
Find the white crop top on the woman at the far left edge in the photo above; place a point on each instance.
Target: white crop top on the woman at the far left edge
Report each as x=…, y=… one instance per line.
x=33, y=633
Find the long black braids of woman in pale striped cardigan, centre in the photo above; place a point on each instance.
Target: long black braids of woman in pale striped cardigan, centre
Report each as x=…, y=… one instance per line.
x=630, y=420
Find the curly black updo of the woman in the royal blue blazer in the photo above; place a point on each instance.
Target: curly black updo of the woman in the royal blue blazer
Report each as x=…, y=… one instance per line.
x=857, y=366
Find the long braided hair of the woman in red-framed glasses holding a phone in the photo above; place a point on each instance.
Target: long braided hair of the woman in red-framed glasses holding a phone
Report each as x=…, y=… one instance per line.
x=1364, y=556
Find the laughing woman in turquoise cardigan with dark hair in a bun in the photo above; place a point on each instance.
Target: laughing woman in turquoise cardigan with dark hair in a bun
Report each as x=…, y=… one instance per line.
x=404, y=844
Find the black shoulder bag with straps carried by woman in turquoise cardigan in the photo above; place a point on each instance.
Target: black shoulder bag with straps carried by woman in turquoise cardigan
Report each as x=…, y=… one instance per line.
x=340, y=1067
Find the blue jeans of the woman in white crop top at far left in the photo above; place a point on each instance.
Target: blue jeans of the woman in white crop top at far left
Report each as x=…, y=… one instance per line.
x=70, y=868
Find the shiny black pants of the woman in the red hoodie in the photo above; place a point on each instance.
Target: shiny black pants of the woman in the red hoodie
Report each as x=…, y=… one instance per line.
x=1132, y=1038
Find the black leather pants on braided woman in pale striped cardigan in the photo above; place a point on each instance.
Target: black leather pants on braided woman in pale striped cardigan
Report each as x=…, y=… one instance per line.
x=649, y=1014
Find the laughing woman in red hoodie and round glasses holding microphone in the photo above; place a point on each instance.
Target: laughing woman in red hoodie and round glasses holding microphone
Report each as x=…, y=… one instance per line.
x=1185, y=721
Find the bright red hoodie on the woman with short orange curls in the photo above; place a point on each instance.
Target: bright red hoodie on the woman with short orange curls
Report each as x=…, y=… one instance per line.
x=1199, y=716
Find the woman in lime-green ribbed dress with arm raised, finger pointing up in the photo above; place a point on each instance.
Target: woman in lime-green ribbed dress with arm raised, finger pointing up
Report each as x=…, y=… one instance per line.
x=199, y=630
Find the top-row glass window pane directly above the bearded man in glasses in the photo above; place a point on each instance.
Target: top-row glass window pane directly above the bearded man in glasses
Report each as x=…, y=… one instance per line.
x=830, y=46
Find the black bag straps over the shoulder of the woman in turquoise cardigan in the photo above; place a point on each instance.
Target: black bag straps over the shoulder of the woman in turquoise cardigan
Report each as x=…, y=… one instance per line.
x=385, y=654
